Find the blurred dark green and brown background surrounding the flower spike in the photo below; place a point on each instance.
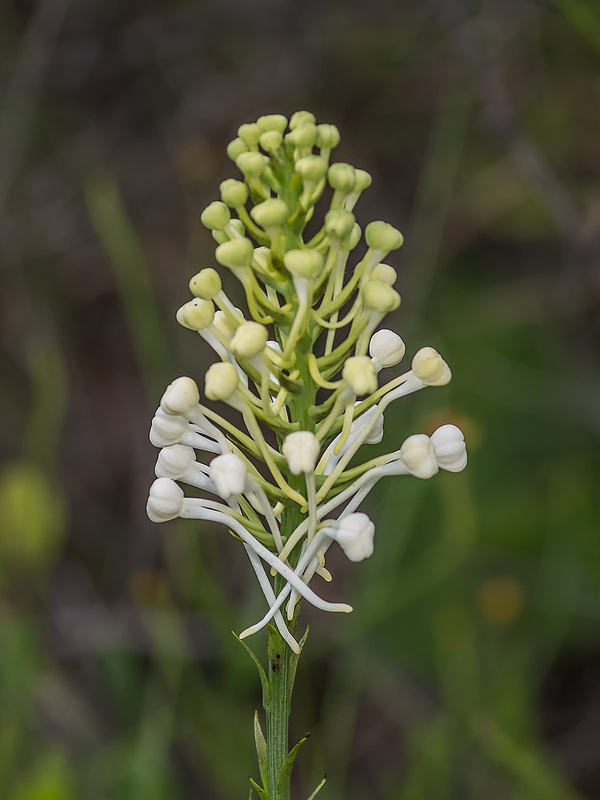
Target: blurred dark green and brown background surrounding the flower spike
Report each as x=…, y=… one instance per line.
x=471, y=666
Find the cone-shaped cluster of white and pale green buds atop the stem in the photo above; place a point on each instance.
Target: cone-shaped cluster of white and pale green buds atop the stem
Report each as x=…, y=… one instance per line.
x=303, y=362
